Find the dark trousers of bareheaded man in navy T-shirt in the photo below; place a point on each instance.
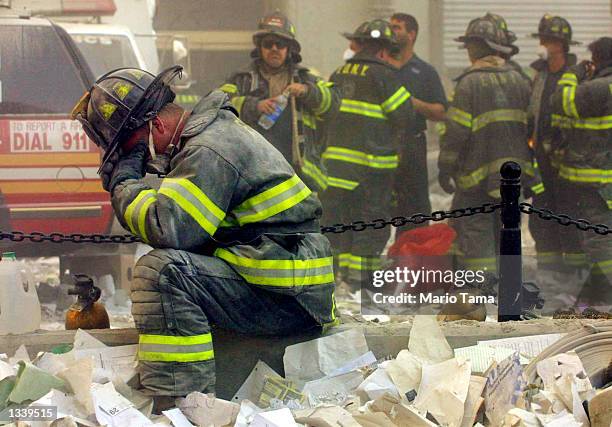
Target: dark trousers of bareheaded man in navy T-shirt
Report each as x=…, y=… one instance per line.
x=412, y=180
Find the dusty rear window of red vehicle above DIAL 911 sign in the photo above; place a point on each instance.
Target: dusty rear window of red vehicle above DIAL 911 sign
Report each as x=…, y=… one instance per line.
x=36, y=72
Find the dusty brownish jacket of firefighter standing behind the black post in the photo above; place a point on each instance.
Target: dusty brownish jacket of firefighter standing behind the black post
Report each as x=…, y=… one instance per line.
x=487, y=126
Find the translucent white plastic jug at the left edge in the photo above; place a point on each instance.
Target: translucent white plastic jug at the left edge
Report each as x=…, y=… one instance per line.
x=19, y=305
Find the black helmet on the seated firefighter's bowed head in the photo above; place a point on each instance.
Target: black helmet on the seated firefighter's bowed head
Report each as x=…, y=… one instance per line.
x=121, y=101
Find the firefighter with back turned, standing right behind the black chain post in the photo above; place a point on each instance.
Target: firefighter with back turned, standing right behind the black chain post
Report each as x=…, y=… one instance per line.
x=486, y=126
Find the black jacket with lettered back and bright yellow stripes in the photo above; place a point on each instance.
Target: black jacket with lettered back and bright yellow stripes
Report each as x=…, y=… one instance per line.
x=374, y=117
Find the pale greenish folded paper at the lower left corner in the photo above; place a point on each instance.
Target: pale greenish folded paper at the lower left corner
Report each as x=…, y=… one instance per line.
x=33, y=383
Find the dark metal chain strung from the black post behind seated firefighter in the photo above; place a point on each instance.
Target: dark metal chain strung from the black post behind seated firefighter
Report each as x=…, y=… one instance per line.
x=377, y=224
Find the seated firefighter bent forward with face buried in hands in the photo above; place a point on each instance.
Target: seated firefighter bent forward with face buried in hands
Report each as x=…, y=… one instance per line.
x=236, y=232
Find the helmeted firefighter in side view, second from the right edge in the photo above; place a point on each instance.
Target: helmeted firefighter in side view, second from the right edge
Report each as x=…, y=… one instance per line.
x=558, y=248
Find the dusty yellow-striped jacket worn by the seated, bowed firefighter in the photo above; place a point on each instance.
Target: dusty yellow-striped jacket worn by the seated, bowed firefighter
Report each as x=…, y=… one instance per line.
x=232, y=195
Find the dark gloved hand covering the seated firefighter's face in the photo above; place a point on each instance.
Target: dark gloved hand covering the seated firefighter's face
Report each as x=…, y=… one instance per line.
x=121, y=167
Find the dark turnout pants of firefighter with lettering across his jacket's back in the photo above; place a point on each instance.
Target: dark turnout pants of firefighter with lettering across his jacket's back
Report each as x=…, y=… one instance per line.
x=357, y=254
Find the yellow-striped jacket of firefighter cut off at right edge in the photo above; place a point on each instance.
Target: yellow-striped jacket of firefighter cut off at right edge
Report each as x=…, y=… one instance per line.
x=585, y=111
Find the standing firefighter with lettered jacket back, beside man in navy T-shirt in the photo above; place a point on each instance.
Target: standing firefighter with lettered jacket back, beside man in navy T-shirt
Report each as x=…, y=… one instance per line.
x=363, y=146
